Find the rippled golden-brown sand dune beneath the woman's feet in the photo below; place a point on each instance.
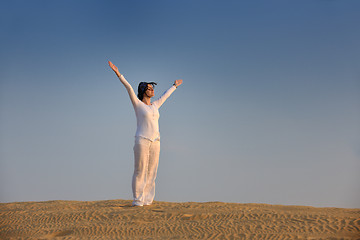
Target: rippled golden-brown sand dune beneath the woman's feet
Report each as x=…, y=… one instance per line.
x=116, y=219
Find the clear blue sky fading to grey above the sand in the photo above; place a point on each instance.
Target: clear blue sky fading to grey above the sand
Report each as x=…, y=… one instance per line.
x=268, y=111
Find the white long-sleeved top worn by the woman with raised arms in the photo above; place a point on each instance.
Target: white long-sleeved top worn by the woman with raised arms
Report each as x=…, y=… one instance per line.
x=147, y=116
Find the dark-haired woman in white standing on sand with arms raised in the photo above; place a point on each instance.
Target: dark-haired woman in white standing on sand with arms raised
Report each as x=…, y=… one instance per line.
x=147, y=137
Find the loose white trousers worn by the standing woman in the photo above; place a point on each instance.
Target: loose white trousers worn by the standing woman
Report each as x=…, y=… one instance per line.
x=146, y=154
